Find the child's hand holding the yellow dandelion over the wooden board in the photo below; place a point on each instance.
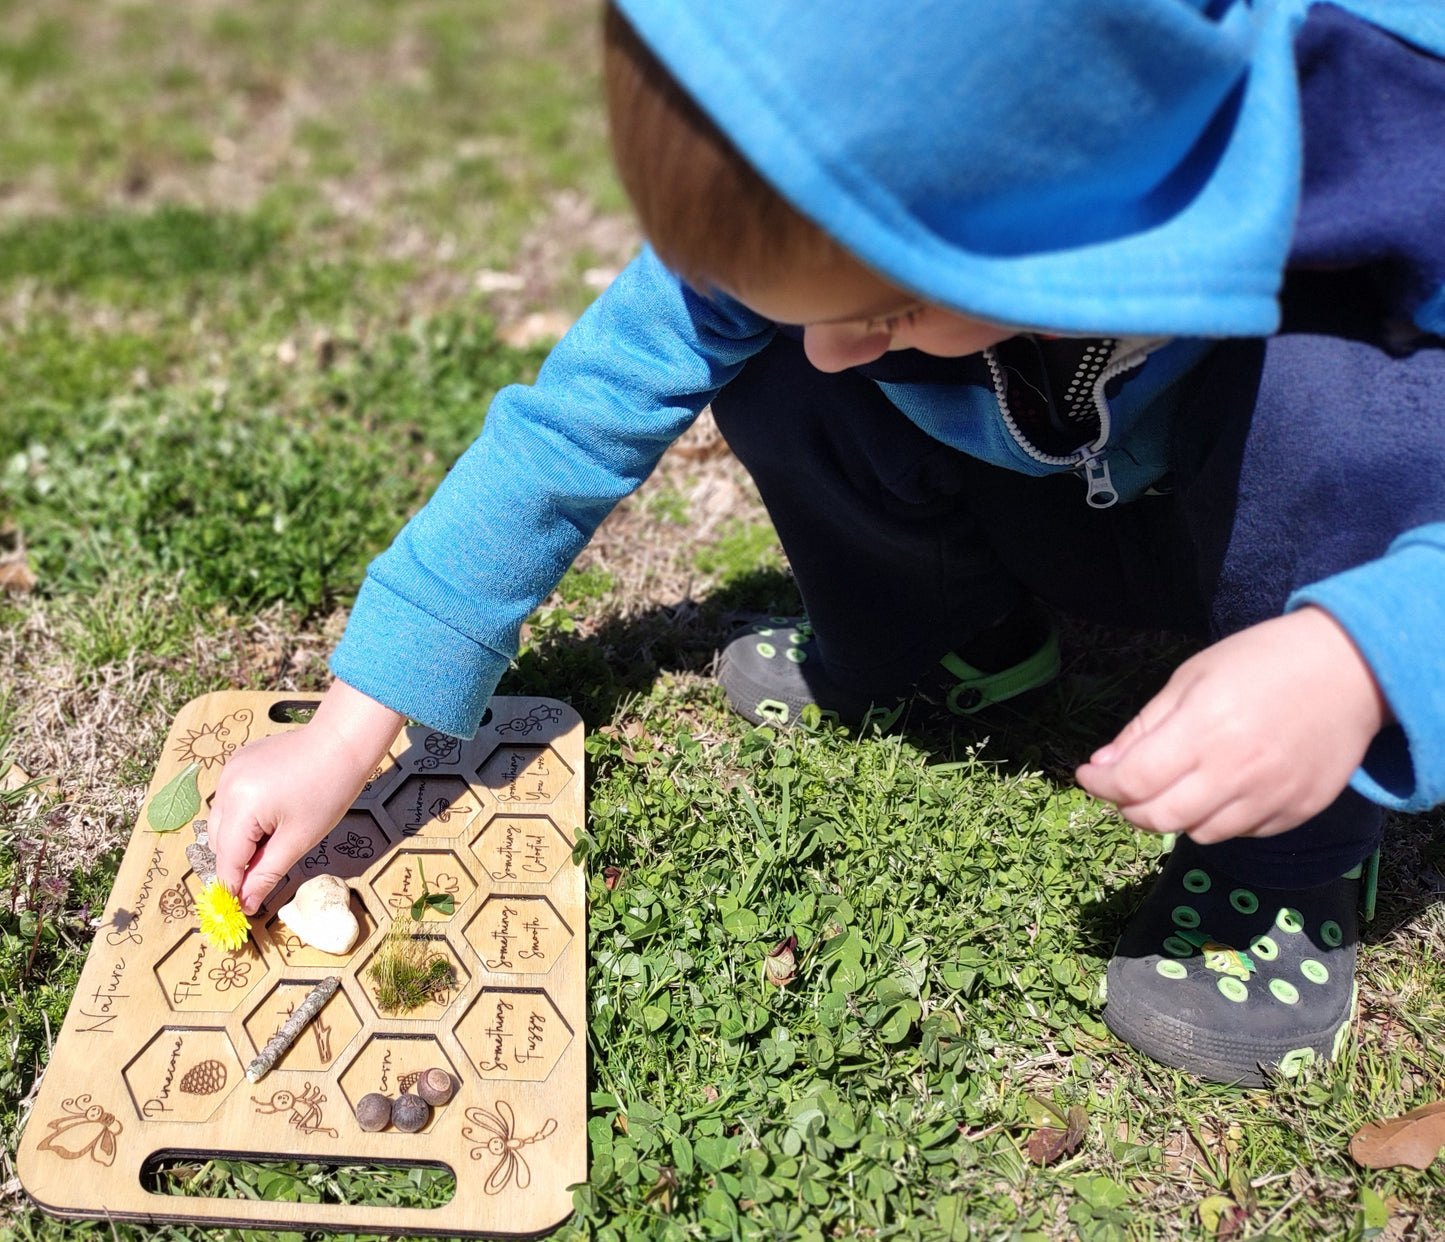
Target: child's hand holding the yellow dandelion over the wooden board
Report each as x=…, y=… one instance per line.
x=281, y=795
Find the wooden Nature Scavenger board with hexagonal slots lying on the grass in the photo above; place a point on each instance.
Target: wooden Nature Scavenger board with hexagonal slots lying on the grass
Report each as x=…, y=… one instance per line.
x=152, y=1056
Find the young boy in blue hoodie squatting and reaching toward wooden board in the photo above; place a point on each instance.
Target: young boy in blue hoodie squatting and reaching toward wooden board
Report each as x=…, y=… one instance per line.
x=980, y=295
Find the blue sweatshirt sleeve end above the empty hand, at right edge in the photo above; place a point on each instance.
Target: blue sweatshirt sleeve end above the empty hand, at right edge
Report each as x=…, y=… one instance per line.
x=1394, y=610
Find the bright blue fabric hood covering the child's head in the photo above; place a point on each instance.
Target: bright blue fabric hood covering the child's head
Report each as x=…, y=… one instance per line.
x=1082, y=165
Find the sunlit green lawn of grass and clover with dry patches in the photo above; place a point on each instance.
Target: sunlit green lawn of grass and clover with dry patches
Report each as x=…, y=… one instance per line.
x=262, y=266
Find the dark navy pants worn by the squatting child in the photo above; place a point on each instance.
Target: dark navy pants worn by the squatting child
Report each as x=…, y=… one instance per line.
x=1293, y=460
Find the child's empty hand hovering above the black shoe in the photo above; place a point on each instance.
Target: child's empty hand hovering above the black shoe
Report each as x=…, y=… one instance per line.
x=1249, y=739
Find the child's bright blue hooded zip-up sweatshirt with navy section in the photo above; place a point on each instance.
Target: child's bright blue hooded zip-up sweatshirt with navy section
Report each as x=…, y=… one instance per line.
x=1125, y=168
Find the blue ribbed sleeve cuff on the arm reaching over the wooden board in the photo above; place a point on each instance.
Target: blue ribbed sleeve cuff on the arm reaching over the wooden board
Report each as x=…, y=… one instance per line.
x=420, y=666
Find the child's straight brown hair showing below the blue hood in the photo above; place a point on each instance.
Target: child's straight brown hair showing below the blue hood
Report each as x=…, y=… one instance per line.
x=706, y=210
